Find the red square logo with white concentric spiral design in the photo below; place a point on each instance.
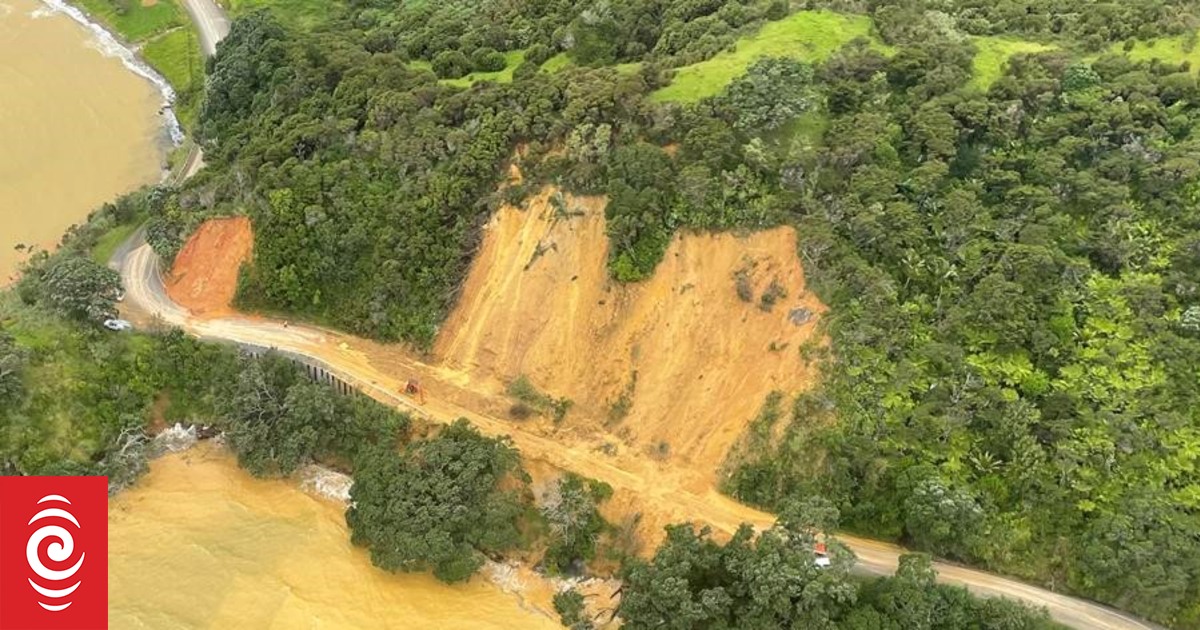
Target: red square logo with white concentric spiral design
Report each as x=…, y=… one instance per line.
x=53, y=553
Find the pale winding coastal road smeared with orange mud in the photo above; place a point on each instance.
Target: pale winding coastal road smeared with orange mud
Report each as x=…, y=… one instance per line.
x=673, y=494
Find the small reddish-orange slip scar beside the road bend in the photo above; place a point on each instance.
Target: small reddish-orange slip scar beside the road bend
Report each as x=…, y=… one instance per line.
x=205, y=277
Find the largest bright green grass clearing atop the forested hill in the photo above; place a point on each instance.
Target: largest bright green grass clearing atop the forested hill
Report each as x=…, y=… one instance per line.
x=808, y=35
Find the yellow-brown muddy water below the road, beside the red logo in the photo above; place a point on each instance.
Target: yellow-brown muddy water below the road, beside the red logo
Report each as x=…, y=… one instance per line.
x=201, y=544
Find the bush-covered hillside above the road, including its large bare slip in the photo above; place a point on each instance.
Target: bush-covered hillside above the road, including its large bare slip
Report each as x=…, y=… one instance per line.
x=995, y=205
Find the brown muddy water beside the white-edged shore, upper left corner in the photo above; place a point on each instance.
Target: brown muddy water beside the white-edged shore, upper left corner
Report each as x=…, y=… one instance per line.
x=77, y=129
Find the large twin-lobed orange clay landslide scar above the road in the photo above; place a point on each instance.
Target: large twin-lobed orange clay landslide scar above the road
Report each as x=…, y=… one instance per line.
x=538, y=302
